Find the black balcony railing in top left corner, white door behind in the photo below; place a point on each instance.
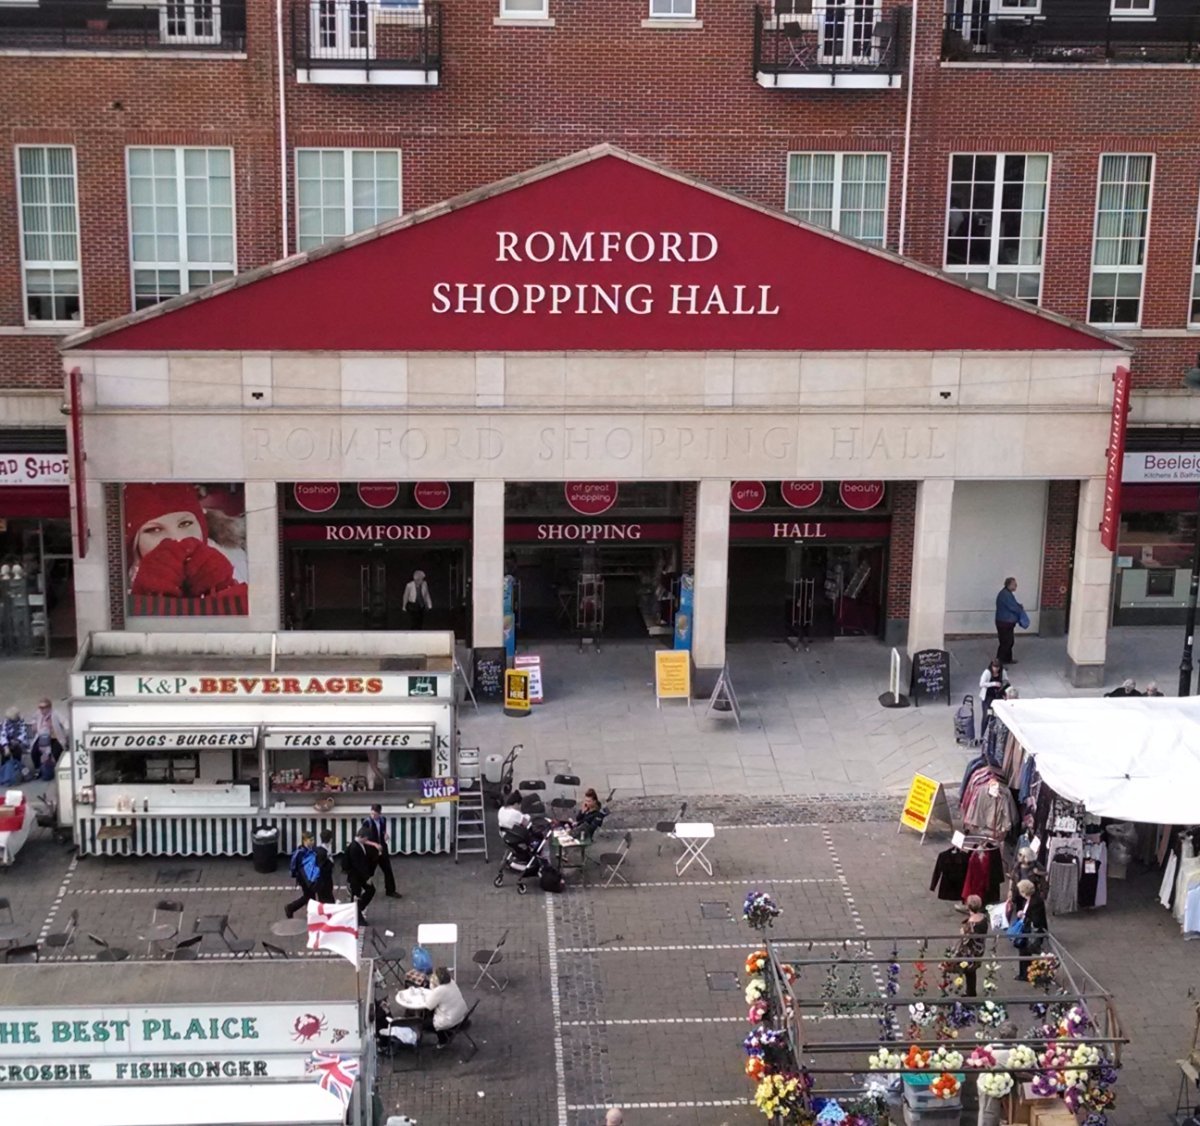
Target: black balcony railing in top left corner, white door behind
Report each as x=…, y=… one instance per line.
x=201, y=26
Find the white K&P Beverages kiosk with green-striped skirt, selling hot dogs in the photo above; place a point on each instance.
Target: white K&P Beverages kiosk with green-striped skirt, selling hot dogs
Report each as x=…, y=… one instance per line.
x=188, y=745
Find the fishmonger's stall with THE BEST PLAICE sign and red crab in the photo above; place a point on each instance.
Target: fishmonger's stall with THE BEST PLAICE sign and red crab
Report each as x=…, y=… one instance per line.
x=184, y=1044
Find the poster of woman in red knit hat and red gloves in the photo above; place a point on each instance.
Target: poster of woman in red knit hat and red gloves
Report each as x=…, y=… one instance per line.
x=185, y=550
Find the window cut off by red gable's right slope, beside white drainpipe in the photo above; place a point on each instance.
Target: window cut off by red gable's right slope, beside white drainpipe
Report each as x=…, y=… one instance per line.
x=844, y=191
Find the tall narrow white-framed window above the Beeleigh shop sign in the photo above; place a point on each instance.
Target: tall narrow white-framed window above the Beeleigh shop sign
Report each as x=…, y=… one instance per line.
x=1119, y=248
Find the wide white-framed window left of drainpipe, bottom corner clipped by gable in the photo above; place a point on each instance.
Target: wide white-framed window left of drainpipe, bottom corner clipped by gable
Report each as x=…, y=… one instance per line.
x=182, y=220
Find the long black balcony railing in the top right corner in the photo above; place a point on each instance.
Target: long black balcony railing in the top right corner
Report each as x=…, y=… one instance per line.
x=1071, y=39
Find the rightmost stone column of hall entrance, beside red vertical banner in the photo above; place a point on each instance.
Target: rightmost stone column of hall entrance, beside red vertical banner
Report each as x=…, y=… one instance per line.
x=1091, y=592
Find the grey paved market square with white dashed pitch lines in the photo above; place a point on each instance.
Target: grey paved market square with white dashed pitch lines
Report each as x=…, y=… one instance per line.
x=613, y=1001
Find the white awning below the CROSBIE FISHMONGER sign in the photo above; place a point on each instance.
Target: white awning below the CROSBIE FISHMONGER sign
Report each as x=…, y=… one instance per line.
x=194, y=1105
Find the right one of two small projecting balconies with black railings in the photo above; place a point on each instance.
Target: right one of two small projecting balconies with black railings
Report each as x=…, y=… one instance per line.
x=830, y=39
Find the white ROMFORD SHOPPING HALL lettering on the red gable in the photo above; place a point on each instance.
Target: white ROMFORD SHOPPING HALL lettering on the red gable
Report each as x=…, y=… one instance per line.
x=641, y=248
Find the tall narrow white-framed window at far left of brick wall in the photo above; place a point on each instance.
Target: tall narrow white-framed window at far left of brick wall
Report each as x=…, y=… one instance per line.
x=50, y=233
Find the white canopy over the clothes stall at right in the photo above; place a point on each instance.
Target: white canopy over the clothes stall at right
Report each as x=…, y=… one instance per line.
x=1135, y=759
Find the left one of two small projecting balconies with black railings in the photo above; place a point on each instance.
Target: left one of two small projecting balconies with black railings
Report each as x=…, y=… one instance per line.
x=367, y=35
